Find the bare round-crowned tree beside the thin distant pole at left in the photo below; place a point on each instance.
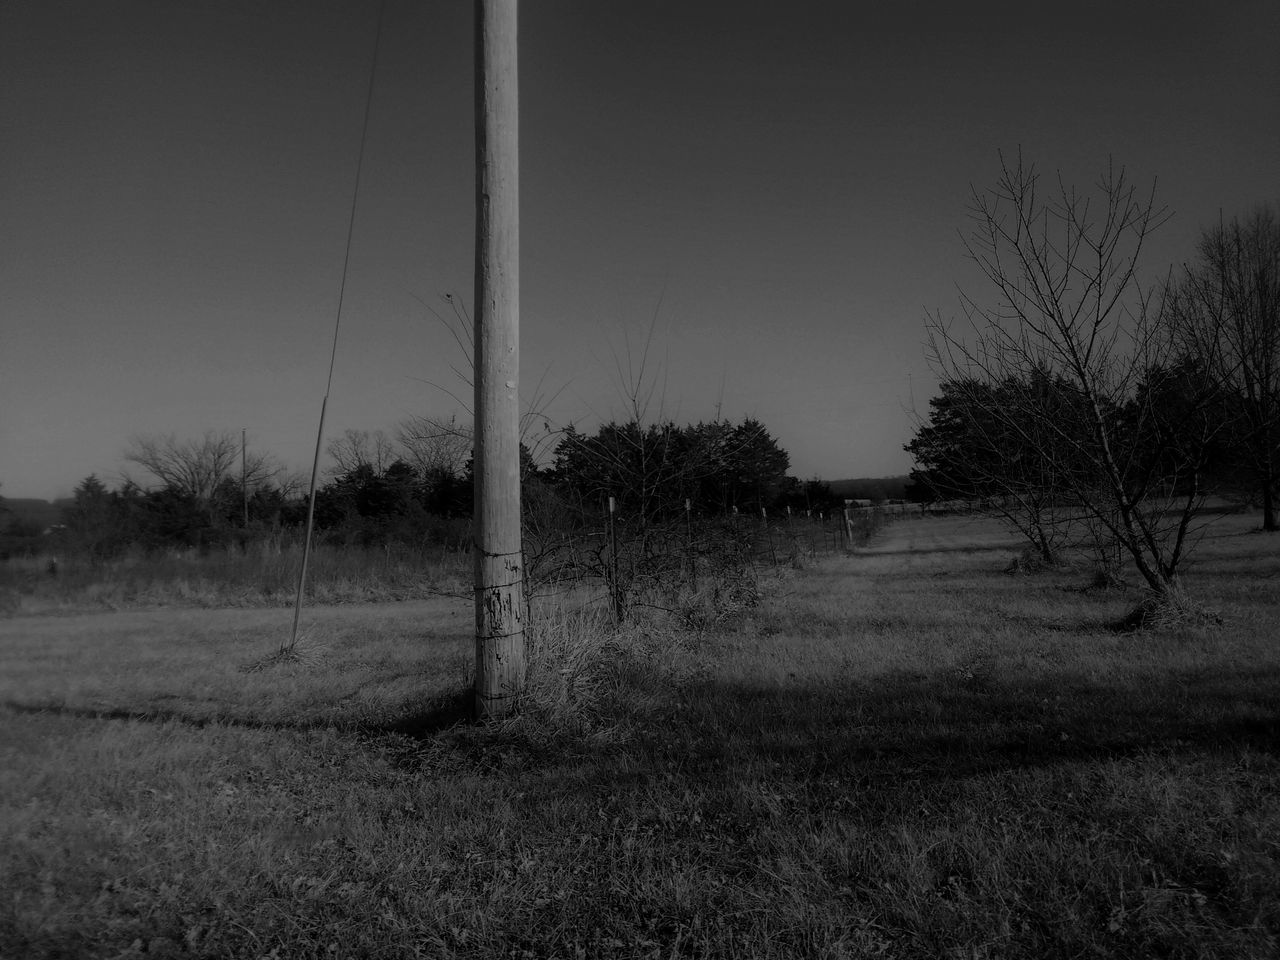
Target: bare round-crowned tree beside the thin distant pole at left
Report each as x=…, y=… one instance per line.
x=198, y=468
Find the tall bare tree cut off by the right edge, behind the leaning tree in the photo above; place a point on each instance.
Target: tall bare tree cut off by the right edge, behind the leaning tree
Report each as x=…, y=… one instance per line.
x=1227, y=310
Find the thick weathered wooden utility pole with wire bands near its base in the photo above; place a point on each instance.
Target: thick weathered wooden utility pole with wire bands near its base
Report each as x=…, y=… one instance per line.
x=500, y=598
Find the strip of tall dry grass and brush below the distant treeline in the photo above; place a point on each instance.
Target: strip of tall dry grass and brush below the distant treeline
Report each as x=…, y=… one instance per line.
x=264, y=574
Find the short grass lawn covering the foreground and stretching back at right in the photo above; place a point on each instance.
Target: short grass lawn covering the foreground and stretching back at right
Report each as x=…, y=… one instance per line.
x=904, y=753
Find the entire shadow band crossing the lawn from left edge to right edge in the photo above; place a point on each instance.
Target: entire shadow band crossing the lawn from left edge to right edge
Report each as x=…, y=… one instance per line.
x=912, y=726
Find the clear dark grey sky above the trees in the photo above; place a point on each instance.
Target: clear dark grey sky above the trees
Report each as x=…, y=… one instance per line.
x=780, y=185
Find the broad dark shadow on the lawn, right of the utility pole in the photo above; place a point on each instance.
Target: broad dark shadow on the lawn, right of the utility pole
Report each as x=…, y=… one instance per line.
x=953, y=729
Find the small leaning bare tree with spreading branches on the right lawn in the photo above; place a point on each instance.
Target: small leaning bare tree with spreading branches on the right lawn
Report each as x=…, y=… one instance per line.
x=1071, y=308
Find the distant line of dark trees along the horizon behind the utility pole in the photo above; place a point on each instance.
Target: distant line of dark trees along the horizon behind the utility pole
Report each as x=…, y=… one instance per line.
x=417, y=488
